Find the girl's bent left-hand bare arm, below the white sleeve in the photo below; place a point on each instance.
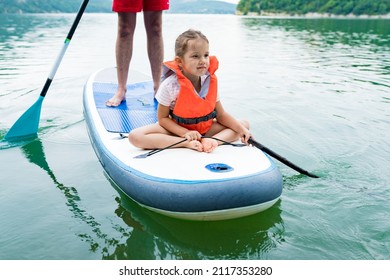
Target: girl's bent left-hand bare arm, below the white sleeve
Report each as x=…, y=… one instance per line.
x=166, y=122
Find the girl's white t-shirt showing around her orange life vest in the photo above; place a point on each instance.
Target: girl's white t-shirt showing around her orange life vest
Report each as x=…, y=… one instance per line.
x=169, y=89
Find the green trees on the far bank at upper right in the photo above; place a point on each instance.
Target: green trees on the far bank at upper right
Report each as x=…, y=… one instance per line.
x=339, y=7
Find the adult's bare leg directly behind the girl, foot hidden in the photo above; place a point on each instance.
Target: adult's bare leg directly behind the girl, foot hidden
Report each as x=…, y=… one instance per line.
x=155, y=44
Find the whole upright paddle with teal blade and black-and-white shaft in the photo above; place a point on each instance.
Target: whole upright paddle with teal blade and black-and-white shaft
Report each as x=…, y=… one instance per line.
x=27, y=125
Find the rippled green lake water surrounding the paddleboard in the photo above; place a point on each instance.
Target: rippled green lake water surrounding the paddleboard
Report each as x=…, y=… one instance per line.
x=317, y=91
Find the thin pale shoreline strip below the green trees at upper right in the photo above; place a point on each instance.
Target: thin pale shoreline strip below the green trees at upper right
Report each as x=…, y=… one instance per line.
x=313, y=15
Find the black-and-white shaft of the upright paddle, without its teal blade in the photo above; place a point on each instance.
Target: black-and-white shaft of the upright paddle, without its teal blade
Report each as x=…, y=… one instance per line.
x=64, y=48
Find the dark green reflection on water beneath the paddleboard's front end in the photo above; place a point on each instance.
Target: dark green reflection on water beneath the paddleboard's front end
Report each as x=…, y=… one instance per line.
x=251, y=237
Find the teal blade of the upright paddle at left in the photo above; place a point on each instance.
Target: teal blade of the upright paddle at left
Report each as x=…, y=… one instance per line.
x=27, y=125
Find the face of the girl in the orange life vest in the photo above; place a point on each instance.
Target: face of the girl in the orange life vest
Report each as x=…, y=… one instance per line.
x=196, y=60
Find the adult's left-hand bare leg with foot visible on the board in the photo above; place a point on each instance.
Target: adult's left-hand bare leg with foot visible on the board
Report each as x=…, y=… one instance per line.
x=123, y=52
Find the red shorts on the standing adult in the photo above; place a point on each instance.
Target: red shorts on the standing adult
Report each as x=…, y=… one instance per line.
x=135, y=6
